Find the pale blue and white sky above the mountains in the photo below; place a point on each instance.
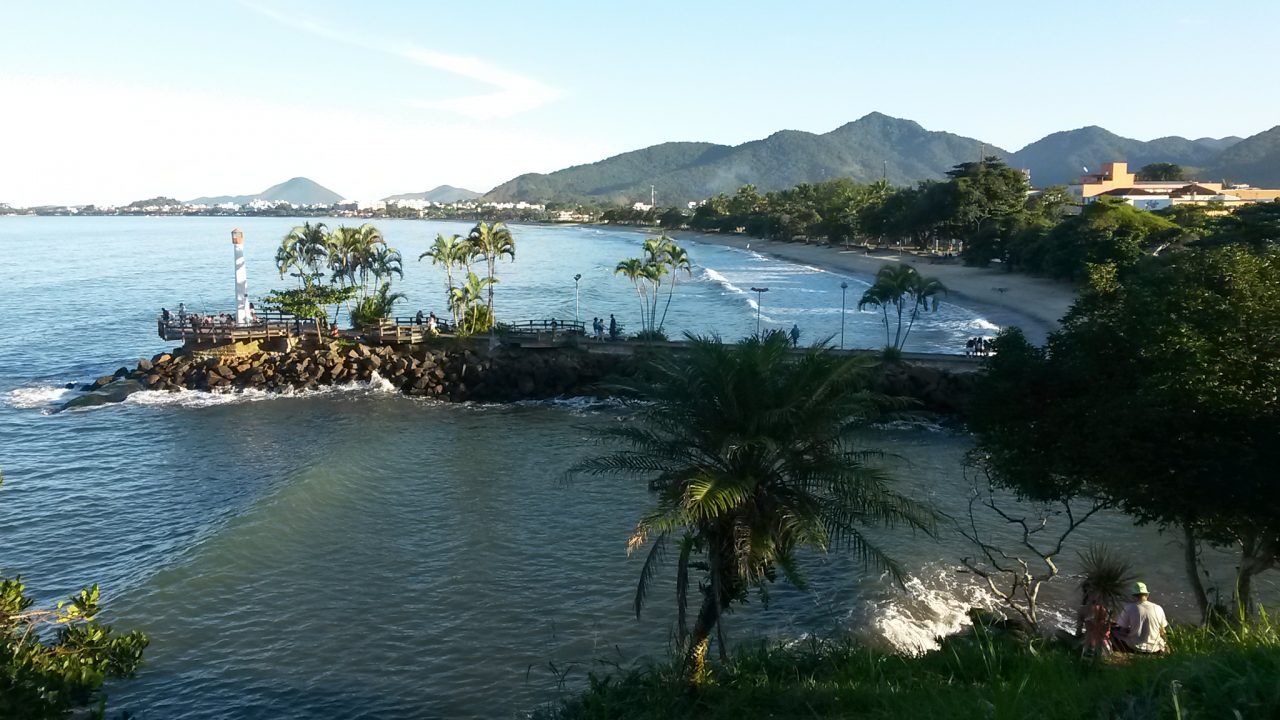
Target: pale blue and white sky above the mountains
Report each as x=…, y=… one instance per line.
x=109, y=103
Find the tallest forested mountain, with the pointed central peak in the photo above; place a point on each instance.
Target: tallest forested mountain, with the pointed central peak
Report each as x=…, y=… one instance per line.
x=694, y=171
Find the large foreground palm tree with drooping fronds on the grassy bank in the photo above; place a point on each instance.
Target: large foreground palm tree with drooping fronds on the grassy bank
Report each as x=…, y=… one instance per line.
x=746, y=452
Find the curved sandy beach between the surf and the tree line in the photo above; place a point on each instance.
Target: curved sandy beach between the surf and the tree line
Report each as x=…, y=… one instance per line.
x=1007, y=299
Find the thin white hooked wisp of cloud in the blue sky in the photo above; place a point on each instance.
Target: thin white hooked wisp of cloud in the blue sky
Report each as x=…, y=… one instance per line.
x=511, y=93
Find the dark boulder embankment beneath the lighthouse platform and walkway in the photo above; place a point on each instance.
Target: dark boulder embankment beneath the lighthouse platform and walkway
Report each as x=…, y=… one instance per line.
x=452, y=373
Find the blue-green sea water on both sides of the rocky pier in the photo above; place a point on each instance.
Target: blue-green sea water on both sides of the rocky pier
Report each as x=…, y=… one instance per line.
x=359, y=554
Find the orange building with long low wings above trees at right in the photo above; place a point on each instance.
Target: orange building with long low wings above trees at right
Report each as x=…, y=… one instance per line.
x=1117, y=181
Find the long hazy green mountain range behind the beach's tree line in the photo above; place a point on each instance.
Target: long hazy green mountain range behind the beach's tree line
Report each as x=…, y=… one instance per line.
x=876, y=147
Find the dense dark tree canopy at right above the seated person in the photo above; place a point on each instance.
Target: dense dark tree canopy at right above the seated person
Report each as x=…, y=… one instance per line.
x=1162, y=393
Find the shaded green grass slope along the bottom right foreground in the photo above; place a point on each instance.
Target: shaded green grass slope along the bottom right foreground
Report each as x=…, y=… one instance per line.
x=986, y=675
